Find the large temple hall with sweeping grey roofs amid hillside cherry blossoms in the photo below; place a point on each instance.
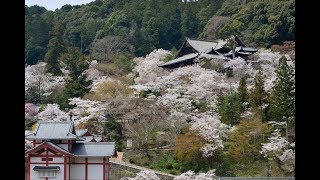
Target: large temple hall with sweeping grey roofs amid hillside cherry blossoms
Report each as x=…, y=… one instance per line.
x=193, y=50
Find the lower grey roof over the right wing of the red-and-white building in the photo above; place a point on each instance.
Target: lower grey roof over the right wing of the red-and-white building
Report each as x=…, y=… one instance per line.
x=94, y=149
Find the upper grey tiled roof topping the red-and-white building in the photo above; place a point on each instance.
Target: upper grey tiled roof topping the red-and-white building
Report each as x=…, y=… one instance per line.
x=57, y=130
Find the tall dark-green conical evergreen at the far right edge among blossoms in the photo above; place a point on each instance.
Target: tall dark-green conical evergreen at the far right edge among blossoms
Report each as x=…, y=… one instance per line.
x=283, y=96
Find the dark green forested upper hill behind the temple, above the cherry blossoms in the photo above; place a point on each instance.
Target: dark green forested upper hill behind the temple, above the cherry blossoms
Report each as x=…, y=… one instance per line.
x=135, y=28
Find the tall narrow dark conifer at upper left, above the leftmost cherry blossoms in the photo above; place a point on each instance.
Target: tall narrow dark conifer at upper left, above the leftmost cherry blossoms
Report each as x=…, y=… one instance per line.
x=55, y=49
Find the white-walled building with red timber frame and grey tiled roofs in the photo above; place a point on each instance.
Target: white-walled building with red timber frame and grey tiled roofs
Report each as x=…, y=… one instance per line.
x=62, y=153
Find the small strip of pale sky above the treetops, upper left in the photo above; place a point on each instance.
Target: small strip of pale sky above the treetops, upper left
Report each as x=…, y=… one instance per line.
x=53, y=4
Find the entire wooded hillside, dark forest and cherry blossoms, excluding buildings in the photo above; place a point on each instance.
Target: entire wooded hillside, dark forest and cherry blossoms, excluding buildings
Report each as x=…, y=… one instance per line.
x=98, y=64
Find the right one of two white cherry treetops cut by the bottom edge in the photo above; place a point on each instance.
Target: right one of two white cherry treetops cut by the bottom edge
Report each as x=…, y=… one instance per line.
x=190, y=175
